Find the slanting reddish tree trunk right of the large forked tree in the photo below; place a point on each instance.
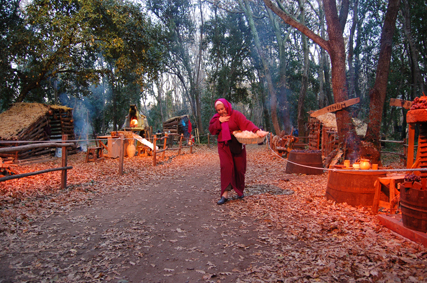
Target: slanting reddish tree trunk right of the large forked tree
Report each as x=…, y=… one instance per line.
x=378, y=93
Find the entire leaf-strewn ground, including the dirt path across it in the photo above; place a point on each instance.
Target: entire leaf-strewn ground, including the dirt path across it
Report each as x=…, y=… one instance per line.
x=162, y=224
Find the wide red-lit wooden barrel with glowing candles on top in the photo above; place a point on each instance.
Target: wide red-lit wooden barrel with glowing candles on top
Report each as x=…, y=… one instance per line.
x=356, y=188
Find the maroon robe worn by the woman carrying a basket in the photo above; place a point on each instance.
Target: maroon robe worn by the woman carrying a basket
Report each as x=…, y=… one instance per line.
x=233, y=166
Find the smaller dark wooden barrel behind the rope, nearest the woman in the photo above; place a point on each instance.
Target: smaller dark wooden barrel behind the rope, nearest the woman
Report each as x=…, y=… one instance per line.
x=305, y=158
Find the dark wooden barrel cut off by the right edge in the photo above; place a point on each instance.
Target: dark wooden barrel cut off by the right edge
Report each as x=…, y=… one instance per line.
x=413, y=201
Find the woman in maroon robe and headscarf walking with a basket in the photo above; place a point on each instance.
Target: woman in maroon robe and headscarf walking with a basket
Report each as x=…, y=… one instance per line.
x=233, y=165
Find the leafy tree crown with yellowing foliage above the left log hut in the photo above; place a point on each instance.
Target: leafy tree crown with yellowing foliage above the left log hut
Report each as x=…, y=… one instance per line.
x=62, y=39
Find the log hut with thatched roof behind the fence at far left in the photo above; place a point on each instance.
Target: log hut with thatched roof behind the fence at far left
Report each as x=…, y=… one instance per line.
x=35, y=122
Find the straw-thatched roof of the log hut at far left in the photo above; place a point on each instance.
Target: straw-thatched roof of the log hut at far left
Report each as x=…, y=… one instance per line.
x=20, y=116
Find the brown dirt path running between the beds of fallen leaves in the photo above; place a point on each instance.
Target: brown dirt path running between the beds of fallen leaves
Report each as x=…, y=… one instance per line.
x=163, y=229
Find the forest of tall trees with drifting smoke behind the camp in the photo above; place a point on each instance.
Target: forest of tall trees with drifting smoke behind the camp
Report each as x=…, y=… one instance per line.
x=177, y=57
